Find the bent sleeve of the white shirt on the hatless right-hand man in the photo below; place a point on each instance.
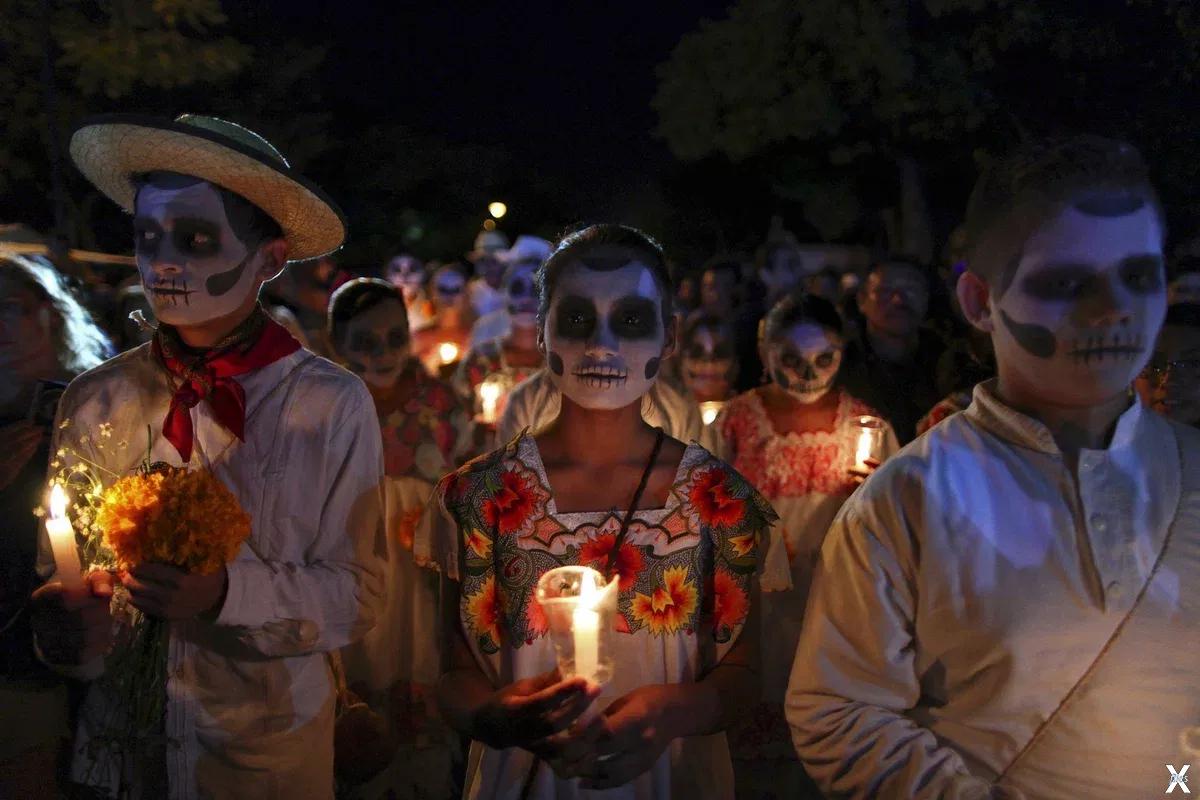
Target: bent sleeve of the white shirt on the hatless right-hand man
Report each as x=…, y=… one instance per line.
x=855, y=677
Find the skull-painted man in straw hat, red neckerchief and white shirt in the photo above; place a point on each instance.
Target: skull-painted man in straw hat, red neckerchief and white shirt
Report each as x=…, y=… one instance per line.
x=223, y=388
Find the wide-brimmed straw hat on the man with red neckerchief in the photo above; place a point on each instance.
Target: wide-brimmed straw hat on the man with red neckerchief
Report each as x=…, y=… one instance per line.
x=111, y=151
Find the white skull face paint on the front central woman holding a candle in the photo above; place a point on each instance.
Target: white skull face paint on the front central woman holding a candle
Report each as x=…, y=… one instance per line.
x=605, y=339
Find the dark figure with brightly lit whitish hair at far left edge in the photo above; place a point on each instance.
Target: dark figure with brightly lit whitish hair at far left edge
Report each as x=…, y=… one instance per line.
x=46, y=339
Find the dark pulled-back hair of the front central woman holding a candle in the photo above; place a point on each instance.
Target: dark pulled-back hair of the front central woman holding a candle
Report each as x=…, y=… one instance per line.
x=579, y=243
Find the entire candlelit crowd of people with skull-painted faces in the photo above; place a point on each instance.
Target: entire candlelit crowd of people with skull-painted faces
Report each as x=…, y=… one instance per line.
x=981, y=605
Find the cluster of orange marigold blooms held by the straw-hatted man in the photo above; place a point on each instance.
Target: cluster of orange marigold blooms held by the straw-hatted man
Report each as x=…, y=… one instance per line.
x=184, y=519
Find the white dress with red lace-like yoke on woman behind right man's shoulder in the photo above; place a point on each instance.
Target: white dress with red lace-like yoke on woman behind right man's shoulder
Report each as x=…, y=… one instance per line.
x=807, y=478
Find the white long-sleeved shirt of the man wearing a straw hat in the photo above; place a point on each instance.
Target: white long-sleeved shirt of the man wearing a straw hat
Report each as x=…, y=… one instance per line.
x=250, y=697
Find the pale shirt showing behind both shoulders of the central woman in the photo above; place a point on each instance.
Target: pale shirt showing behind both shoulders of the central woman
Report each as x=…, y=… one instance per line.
x=536, y=402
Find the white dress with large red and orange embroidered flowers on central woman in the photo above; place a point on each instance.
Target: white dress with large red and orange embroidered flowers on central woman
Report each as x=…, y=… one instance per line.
x=687, y=574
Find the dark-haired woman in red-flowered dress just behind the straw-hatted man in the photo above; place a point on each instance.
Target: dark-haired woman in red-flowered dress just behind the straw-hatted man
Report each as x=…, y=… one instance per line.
x=394, y=669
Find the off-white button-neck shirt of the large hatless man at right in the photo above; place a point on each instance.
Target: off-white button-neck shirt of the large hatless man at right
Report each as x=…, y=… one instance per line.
x=965, y=591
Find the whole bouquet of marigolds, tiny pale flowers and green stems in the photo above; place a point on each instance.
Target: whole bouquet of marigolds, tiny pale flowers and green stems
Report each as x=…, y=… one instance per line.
x=159, y=514
